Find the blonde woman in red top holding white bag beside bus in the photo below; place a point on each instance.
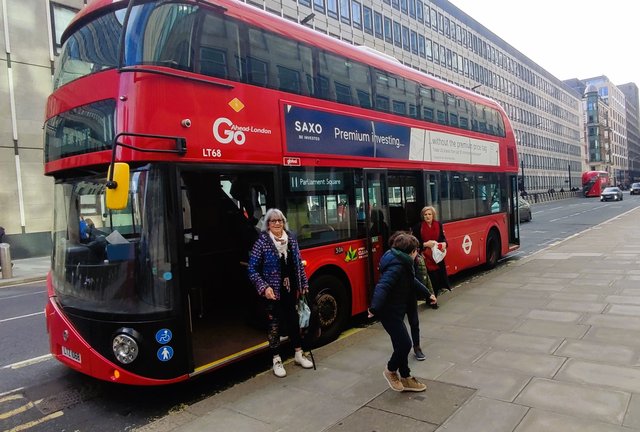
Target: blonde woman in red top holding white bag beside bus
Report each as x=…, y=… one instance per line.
x=429, y=232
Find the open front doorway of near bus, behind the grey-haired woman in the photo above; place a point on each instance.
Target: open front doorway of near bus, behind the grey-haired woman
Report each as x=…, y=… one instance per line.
x=221, y=214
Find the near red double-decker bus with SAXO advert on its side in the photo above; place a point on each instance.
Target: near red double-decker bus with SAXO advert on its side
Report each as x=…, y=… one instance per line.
x=206, y=114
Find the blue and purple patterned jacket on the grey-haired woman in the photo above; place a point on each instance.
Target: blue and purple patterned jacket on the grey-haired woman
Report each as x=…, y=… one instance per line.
x=264, y=265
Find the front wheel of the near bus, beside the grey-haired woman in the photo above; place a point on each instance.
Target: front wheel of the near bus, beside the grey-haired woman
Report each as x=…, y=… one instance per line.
x=329, y=297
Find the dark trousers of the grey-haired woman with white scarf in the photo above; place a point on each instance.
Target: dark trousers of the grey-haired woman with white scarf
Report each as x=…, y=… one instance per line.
x=282, y=319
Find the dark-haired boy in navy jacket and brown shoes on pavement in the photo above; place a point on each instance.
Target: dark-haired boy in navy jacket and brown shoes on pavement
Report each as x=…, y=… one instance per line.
x=392, y=295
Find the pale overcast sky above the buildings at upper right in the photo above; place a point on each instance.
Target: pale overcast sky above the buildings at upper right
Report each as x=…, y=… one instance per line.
x=568, y=38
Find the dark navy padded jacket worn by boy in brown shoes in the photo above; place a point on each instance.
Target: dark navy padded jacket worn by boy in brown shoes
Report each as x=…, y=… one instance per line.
x=397, y=285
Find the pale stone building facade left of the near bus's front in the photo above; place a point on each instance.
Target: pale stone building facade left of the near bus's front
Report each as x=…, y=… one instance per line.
x=30, y=39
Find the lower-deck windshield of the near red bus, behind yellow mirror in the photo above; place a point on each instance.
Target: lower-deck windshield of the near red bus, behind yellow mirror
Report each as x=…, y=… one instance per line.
x=112, y=261
